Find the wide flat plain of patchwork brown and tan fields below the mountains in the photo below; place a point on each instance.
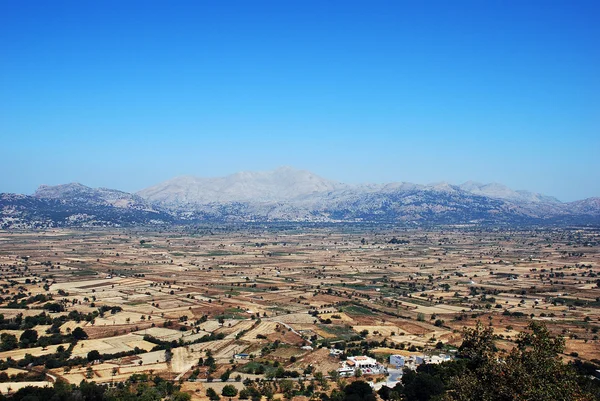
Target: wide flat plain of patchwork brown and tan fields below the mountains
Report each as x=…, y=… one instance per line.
x=267, y=292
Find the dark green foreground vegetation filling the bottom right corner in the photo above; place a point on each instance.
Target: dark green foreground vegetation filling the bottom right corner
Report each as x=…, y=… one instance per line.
x=531, y=371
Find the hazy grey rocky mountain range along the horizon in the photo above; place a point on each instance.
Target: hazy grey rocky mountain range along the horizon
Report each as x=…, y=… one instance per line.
x=289, y=195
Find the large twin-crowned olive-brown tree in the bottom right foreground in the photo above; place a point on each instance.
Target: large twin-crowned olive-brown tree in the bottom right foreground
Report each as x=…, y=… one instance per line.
x=531, y=371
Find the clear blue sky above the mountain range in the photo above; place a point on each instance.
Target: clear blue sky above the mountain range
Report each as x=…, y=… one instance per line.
x=125, y=94
